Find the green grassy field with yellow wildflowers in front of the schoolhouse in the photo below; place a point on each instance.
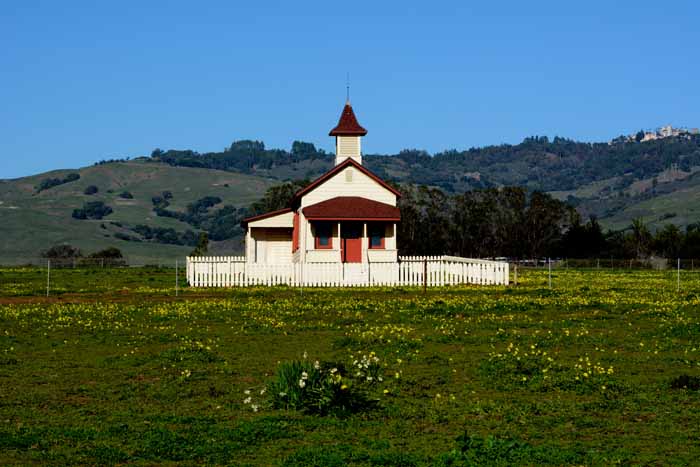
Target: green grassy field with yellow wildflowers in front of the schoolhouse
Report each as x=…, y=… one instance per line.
x=113, y=368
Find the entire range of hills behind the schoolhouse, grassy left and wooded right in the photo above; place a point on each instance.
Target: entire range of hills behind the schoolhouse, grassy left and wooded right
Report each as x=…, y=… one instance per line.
x=658, y=181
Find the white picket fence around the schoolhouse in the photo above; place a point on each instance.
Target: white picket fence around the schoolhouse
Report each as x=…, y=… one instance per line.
x=234, y=271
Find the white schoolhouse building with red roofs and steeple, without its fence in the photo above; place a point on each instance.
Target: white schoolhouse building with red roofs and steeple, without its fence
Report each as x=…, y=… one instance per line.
x=347, y=215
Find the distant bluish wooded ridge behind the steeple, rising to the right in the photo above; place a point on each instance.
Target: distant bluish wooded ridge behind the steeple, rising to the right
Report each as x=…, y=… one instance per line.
x=615, y=181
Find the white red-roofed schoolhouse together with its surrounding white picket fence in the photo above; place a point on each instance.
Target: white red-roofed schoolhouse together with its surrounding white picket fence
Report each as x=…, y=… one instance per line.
x=340, y=230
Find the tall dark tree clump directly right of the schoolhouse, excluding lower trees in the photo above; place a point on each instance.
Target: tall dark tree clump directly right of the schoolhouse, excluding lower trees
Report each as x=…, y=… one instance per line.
x=481, y=223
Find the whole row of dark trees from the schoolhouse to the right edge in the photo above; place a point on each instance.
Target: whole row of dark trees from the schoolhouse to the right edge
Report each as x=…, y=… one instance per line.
x=512, y=222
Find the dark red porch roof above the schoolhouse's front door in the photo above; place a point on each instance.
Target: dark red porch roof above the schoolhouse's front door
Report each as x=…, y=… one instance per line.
x=352, y=207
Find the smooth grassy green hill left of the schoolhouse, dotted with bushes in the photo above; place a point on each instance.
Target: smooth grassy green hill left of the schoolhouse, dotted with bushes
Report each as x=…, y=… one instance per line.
x=34, y=221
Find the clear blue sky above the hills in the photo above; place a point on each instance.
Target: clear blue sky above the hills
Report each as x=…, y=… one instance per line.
x=84, y=81
